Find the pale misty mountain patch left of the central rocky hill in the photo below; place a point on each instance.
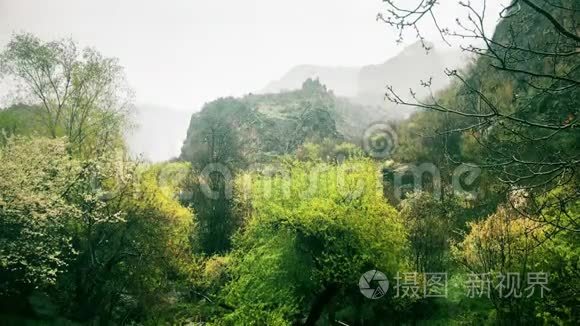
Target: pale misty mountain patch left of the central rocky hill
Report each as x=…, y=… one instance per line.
x=158, y=132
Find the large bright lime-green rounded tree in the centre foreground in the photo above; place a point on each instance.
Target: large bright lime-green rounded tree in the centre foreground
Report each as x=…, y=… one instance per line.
x=308, y=232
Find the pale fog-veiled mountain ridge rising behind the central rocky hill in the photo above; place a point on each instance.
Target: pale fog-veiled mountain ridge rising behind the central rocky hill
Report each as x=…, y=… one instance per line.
x=366, y=85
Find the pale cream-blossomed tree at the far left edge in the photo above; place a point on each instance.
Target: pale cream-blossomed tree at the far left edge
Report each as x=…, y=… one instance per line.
x=35, y=247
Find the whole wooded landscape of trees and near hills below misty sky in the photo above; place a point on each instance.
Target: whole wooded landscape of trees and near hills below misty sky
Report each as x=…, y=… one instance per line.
x=300, y=207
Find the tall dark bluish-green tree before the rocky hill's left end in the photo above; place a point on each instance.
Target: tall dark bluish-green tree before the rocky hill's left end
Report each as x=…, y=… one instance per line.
x=213, y=148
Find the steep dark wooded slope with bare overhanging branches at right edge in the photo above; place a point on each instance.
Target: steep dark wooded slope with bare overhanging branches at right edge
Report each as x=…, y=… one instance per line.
x=520, y=100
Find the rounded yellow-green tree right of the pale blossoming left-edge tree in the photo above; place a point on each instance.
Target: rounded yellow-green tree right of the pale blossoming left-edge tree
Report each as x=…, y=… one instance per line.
x=133, y=241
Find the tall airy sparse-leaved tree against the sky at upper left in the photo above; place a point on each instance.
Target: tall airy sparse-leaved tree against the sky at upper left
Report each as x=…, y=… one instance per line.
x=79, y=94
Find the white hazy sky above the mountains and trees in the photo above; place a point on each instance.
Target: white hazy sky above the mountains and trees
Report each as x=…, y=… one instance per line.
x=180, y=53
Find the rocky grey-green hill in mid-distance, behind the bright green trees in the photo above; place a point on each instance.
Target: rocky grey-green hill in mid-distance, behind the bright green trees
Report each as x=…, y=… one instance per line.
x=255, y=127
